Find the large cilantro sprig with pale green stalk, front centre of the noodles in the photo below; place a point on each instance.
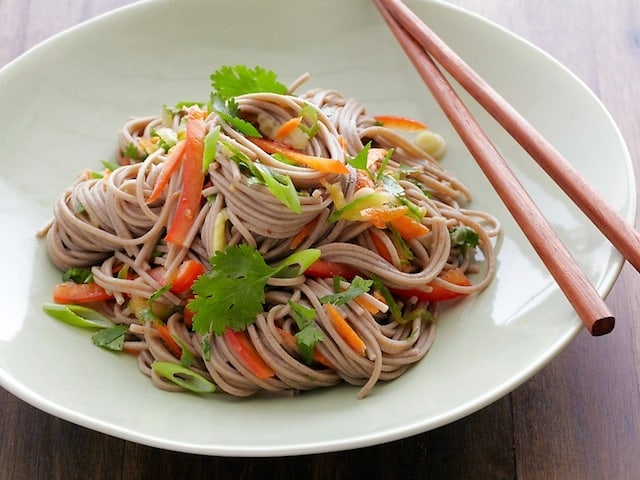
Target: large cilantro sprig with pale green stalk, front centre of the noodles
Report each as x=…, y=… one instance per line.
x=232, y=293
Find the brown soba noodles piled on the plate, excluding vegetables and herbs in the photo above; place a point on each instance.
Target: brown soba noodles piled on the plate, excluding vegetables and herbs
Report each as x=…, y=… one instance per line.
x=116, y=227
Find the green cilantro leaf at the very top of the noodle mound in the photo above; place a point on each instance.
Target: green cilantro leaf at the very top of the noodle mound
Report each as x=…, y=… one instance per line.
x=230, y=81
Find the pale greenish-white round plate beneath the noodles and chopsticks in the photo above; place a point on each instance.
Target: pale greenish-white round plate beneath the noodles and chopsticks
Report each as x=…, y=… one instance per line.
x=64, y=101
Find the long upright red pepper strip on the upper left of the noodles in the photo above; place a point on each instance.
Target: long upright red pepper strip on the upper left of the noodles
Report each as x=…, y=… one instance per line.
x=192, y=179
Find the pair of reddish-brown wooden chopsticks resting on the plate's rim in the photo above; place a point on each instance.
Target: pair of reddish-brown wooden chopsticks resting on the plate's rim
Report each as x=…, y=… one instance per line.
x=424, y=48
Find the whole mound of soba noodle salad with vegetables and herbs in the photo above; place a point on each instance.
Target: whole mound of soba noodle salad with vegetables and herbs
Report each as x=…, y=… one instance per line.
x=268, y=241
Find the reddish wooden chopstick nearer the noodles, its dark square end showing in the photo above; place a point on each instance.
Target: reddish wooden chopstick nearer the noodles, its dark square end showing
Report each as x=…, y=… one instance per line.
x=586, y=301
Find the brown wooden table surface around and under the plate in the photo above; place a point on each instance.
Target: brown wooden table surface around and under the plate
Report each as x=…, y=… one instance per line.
x=579, y=418
